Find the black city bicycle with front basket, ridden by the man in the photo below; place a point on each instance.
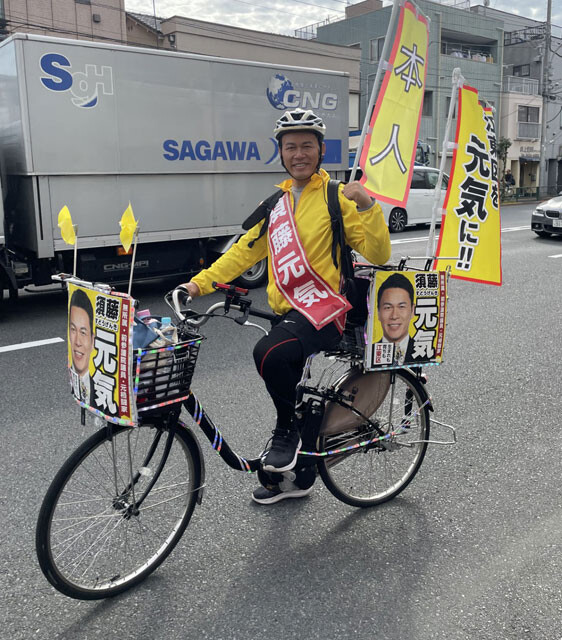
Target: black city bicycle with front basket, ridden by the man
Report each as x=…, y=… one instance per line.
x=122, y=501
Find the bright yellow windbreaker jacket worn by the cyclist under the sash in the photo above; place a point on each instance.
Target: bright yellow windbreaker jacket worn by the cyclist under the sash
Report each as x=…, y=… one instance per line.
x=365, y=232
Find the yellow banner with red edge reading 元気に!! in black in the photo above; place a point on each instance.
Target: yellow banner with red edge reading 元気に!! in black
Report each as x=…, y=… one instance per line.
x=470, y=238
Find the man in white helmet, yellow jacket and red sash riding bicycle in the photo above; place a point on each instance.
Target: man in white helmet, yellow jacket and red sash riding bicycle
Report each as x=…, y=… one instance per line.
x=303, y=281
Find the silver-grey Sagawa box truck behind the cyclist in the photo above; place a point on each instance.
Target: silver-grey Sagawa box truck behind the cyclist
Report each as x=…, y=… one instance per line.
x=186, y=139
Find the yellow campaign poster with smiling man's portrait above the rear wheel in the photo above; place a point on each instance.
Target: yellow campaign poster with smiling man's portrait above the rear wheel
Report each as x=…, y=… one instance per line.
x=407, y=314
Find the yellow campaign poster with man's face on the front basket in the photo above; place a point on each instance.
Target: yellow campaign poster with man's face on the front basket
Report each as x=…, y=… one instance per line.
x=99, y=352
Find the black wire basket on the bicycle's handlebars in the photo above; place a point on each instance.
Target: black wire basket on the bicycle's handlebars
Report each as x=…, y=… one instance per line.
x=163, y=375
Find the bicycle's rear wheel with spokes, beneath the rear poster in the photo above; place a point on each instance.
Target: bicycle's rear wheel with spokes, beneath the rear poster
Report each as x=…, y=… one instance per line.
x=372, y=474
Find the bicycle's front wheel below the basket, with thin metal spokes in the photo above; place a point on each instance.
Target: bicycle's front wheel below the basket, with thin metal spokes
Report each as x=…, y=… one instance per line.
x=116, y=509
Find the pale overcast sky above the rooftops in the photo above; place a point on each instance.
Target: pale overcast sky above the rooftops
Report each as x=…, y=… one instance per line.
x=284, y=16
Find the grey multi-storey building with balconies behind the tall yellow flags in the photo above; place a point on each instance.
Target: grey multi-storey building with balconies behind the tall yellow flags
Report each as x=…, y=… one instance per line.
x=457, y=38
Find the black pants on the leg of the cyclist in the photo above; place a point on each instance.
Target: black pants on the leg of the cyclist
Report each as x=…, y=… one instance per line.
x=280, y=358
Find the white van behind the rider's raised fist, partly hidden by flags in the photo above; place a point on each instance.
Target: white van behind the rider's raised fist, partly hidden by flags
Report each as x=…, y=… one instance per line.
x=419, y=205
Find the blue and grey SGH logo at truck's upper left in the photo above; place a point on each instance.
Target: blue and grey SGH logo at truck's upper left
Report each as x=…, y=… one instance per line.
x=85, y=86
